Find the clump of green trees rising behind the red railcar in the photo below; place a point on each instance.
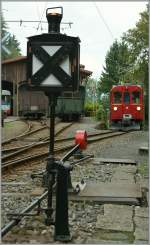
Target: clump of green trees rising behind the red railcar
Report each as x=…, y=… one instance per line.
x=128, y=60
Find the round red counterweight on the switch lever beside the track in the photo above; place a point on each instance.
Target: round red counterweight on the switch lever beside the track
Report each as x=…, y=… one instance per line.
x=81, y=139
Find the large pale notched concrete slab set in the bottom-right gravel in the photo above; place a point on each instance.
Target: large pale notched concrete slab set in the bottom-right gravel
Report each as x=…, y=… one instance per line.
x=116, y=217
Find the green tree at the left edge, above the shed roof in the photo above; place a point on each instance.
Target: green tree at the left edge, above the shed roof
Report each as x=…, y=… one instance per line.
x=9, y=42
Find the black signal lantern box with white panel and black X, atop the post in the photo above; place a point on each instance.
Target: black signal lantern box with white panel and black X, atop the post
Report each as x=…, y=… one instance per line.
x=53, y=58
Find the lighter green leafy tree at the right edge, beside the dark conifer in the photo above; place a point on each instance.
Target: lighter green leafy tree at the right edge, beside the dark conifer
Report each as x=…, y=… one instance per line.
x=137, y=41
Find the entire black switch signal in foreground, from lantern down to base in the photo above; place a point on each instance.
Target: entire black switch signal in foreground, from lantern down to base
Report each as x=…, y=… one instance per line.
x=53, y=66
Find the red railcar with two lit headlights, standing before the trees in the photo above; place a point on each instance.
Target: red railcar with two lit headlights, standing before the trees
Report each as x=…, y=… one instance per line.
x=126, y=105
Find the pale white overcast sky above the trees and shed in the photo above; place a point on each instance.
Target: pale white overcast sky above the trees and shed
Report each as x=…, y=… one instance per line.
x=97, y=24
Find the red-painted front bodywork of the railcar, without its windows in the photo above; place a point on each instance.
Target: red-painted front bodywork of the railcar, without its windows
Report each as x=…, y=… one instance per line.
x=123, y=108
